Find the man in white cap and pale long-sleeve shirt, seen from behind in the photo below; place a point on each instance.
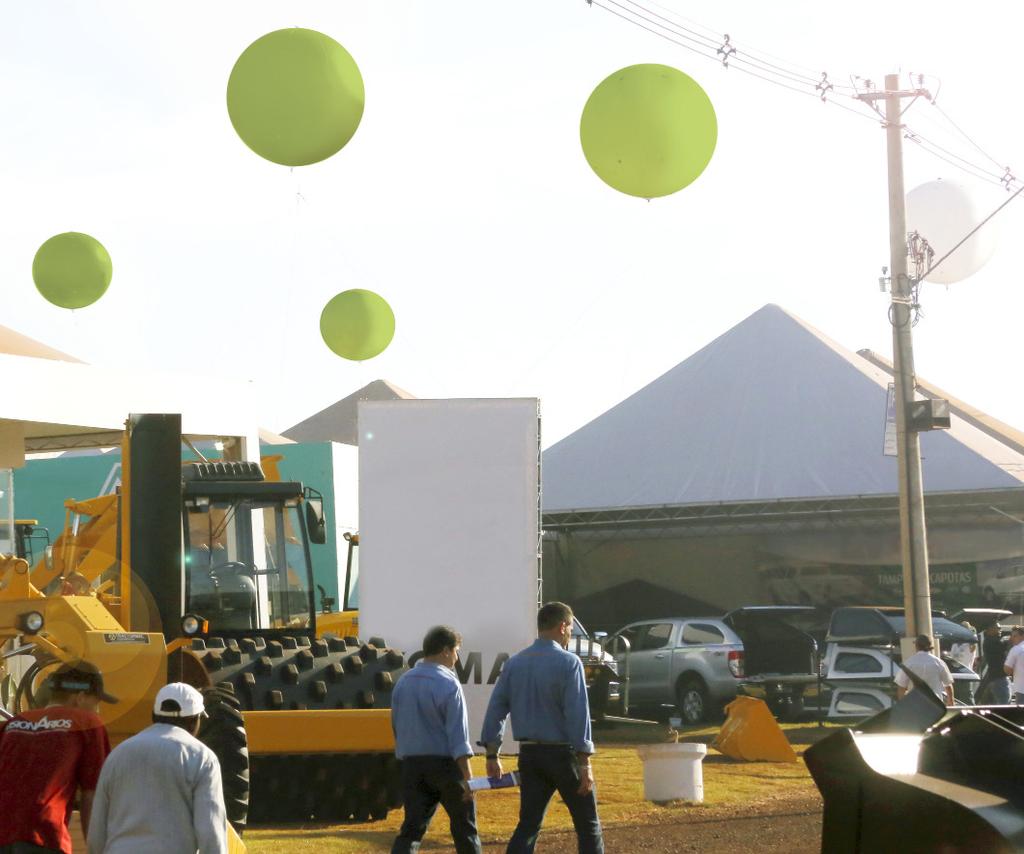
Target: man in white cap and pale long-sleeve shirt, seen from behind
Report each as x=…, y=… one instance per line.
x=160, y=791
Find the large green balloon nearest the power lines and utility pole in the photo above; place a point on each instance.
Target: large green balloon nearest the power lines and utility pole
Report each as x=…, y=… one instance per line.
x=649, y=131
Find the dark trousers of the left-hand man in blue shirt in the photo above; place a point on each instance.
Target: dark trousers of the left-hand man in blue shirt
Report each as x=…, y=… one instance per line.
x=428, y=782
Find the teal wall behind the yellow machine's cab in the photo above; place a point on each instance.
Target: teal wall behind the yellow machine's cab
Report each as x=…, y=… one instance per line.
x=41, y=488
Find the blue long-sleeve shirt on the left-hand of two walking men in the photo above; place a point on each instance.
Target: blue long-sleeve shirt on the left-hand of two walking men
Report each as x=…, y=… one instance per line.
x=429, y=713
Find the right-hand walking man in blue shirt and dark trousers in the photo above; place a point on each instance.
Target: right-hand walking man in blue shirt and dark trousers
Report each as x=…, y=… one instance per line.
x=545, y=691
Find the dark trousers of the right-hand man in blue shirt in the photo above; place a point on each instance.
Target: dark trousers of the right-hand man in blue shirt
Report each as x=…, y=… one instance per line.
x=545, y=770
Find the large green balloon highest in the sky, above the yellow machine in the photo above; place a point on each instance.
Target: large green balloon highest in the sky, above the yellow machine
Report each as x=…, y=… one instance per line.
x=295, y=97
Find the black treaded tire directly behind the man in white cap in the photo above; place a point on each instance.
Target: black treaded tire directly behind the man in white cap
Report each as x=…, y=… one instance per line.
x=224, y=732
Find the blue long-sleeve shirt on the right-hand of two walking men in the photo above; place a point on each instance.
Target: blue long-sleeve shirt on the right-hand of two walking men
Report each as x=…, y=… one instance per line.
x=545, y=691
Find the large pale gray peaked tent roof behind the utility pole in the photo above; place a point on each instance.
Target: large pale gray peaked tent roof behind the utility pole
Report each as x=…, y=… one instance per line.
x=772, y=410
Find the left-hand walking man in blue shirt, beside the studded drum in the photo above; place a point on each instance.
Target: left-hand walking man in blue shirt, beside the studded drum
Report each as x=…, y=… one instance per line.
x=432, y=735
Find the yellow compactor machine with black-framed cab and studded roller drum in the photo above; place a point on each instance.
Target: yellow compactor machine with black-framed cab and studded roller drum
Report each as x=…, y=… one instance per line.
x=201, y=573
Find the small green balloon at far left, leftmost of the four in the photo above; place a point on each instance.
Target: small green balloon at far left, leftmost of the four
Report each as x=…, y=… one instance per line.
x=72, y=271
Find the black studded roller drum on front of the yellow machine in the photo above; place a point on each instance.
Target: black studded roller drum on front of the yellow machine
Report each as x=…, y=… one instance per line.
x=297, y=673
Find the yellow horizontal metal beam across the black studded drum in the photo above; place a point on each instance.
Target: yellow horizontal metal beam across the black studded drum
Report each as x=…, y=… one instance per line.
x=320, y=732
